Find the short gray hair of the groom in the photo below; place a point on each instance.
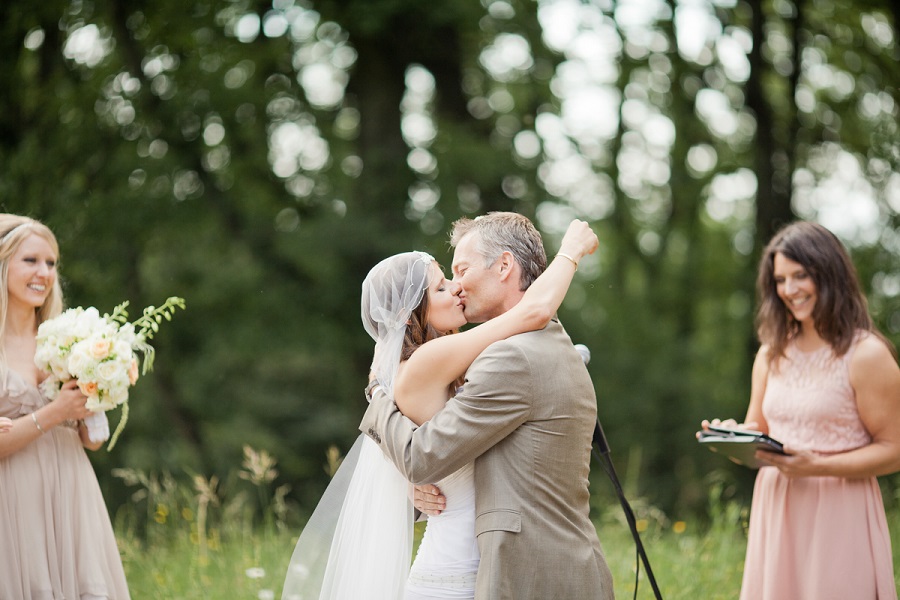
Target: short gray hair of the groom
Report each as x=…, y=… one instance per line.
x=500, y=232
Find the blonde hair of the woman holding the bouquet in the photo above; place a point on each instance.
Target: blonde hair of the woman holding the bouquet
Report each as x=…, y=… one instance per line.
x=14, y=229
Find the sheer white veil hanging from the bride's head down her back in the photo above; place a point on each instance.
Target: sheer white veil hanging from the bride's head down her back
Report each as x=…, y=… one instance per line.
x=358, y=542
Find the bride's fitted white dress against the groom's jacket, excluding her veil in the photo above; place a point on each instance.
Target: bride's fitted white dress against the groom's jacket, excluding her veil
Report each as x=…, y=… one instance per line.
x=447, y=559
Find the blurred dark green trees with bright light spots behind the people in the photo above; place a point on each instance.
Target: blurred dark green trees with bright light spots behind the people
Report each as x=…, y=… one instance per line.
x=258, y=157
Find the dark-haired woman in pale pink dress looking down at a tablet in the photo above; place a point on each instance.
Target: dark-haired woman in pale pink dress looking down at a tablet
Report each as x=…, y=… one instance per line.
x=827, y=385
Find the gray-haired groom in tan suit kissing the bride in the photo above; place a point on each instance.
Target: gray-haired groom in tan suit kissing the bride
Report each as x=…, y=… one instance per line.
x=526, y=417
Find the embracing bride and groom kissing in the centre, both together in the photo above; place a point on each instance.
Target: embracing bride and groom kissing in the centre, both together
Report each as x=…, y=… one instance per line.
x=500, y=417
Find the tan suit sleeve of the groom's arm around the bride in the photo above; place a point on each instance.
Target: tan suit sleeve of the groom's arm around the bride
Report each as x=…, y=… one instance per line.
x=494, y=401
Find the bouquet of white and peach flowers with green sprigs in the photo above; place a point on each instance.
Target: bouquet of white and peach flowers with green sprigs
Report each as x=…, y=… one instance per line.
x=101, y=353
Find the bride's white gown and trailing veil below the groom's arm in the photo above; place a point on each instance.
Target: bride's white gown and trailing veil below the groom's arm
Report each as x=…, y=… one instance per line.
x=358, y=542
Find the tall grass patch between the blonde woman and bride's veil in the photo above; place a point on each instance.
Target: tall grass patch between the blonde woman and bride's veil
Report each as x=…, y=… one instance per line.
x=202, y=538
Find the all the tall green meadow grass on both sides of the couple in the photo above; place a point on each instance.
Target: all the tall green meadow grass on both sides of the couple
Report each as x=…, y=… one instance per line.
x=199, y=538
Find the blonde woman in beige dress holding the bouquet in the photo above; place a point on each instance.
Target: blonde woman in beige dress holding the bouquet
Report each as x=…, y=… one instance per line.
x=56, y=539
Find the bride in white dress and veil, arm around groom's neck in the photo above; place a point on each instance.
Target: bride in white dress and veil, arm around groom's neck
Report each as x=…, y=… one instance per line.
x=358, y=541
